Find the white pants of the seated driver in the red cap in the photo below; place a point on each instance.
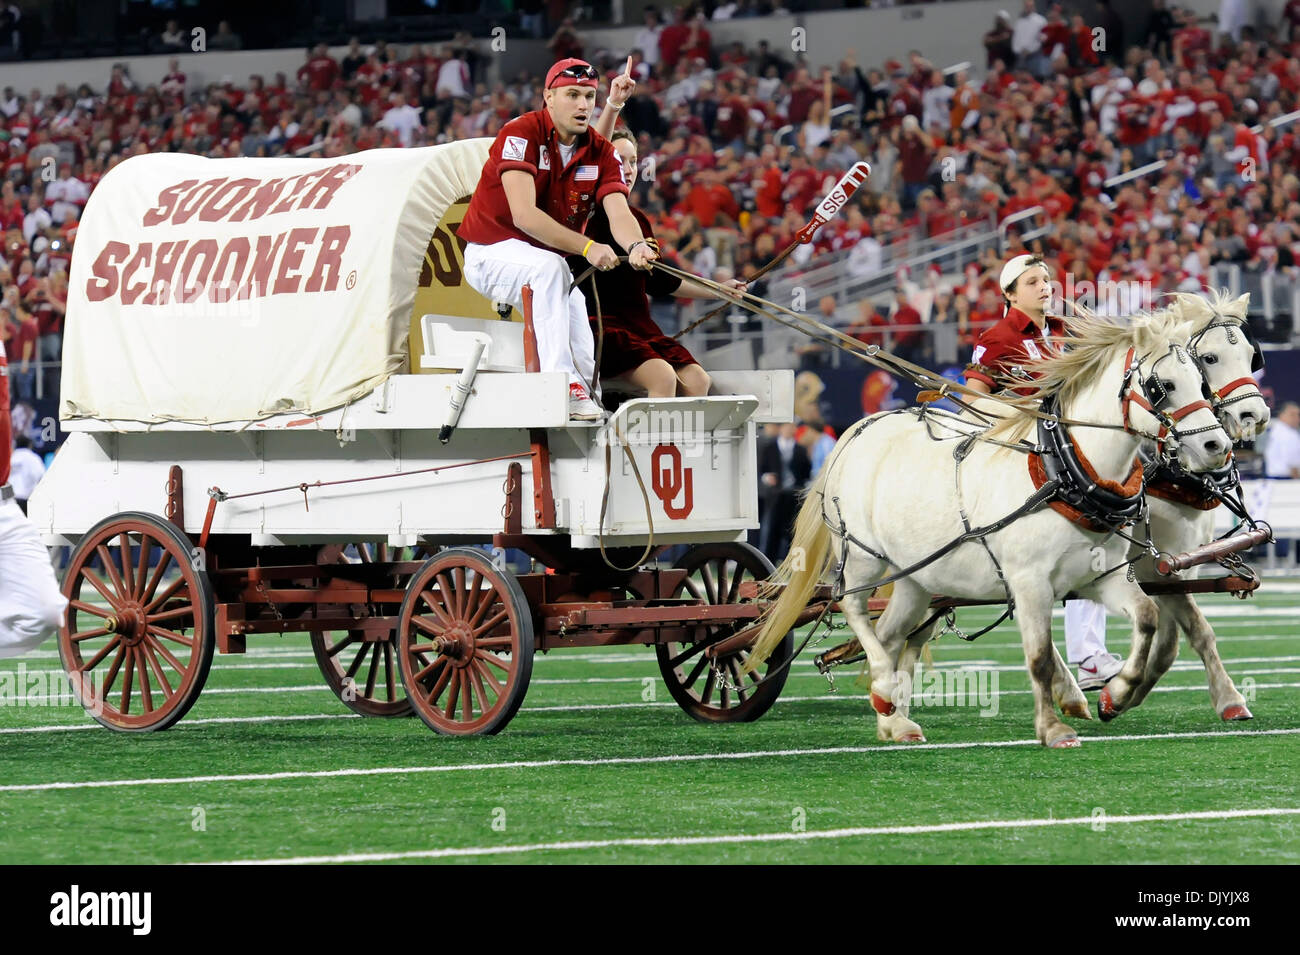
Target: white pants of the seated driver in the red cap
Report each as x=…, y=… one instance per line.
x=565, y=342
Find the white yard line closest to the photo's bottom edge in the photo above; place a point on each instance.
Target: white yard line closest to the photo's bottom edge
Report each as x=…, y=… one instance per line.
x=748, y=839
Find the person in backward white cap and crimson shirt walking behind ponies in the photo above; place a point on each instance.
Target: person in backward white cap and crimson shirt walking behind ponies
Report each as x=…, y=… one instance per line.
x=1026, y=333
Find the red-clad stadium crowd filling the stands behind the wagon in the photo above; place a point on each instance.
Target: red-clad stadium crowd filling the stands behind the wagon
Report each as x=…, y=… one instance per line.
x=738, y=145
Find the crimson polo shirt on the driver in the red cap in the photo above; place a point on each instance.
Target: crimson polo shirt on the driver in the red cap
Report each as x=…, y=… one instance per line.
x=567, y=196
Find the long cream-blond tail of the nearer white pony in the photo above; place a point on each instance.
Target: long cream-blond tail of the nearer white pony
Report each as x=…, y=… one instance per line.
x=798, y=578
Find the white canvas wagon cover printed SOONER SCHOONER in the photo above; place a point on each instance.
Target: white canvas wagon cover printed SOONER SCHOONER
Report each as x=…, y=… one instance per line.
x=232, y=290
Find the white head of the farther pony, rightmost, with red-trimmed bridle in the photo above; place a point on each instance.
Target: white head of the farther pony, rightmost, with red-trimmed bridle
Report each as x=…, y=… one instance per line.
x=1228, y=358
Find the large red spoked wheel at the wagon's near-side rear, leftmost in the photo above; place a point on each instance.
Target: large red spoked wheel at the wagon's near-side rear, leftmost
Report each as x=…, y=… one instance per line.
x=140, y=639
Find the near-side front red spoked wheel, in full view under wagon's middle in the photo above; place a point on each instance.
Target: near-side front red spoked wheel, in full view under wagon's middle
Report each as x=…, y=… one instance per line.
x=465, y=644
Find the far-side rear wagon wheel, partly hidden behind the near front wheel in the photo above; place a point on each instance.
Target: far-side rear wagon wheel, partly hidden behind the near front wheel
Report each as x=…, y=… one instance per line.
x=365, y=675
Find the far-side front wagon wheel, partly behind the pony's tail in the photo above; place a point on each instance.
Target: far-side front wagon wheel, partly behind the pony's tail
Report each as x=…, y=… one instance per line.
x=721, y=691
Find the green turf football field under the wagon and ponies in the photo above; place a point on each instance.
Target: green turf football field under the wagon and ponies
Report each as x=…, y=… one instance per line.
x=601, y=766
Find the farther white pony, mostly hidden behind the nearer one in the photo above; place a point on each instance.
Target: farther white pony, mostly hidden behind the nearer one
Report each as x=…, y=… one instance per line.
x=1178, y=523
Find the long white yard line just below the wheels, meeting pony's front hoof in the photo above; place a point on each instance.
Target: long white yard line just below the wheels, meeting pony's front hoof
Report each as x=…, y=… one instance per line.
x=879, y=749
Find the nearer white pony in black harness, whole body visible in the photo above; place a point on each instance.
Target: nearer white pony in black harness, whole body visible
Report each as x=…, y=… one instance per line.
x=891, y=496
